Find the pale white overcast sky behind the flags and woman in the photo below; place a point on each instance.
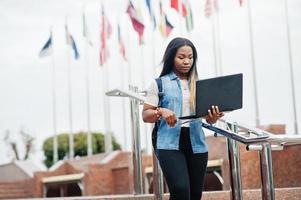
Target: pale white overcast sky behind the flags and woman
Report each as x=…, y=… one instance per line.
x=25, y=79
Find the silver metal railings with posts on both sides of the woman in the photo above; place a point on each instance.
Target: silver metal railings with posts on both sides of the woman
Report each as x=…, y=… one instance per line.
x=255, y=140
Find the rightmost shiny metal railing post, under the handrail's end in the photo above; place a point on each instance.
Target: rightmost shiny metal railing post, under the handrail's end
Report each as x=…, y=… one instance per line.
x=267, y=190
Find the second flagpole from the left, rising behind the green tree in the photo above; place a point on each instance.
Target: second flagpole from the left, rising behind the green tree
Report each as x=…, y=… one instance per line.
x=71, y=139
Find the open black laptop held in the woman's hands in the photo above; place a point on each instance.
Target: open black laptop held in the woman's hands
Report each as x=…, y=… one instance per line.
x=223, y=91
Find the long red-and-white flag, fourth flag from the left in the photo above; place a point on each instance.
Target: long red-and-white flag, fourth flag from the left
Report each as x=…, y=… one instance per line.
x=105, y=33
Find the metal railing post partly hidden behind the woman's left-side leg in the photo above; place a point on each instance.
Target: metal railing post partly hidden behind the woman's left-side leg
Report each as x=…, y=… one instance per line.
x=158, y=184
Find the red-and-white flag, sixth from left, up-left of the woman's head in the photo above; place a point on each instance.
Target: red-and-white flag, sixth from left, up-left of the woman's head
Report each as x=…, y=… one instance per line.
x=137, y=21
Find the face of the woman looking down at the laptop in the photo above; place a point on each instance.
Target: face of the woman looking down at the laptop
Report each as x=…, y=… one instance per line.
x=183, y=61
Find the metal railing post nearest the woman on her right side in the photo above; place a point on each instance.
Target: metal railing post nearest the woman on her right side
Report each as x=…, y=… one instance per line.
x=234, y=166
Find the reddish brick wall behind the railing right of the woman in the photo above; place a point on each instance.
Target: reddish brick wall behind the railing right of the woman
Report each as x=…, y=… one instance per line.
x=286, y=163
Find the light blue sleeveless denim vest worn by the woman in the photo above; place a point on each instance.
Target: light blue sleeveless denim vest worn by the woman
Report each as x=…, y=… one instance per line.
x=168, y=137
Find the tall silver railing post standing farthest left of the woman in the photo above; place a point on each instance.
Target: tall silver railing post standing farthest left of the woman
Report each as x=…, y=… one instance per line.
x=136, y=146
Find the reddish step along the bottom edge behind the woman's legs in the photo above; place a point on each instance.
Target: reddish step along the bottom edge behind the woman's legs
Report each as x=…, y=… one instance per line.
x=280, y=194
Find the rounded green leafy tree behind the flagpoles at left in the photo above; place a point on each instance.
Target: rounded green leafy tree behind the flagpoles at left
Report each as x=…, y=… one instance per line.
x=80, y=146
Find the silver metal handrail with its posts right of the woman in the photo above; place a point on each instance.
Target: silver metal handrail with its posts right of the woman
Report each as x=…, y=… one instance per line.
x=256, y=140
